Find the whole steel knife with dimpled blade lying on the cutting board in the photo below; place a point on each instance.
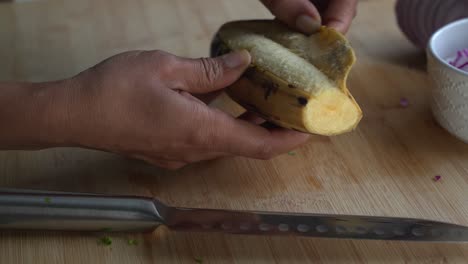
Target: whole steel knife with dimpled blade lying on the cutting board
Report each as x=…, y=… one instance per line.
x=41, y=210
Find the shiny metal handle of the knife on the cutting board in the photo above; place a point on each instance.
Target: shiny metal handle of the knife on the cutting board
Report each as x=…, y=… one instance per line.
x=37, y=210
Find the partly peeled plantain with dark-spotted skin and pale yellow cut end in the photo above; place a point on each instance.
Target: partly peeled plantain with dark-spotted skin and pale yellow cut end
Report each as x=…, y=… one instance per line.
x=295, y=81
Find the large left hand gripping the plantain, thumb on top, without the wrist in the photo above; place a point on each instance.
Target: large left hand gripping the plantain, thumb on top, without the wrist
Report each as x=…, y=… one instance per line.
x=140, y=104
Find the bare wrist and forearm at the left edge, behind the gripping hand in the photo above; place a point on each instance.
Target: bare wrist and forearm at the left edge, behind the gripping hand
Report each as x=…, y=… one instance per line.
x=35, y=115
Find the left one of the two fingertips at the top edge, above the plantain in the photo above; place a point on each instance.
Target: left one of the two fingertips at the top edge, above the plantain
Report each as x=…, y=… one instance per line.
x=298, y=14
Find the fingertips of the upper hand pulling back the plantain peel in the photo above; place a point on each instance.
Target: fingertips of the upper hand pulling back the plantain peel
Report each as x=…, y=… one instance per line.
x=304, y=15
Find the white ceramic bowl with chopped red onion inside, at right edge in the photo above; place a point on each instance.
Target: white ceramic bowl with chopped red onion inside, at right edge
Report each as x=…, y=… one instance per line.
x=449, y=84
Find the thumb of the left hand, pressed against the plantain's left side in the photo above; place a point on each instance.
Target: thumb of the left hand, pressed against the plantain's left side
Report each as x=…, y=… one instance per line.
x=210, y=74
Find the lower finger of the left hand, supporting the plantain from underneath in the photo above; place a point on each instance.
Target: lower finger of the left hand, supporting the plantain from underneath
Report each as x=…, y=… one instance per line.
x=242, y=138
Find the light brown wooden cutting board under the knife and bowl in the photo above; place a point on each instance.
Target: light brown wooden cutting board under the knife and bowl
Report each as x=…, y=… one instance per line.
x=385, y=167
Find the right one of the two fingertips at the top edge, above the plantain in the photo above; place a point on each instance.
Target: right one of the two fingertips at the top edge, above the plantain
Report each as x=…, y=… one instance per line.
x=340, y=14
